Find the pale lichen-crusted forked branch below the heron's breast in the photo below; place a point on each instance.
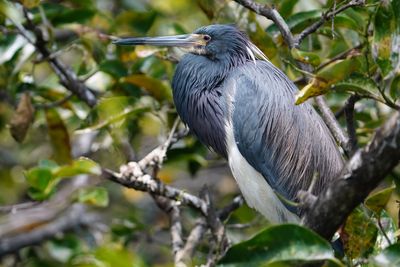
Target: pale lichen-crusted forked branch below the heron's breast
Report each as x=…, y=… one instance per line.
x=169, y=199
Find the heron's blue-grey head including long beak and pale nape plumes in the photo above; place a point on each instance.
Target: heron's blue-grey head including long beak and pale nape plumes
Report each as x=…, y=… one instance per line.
x=216, y=42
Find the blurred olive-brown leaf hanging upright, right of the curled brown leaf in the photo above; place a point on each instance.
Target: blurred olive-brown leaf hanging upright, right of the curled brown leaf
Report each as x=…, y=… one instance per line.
x=59, y=136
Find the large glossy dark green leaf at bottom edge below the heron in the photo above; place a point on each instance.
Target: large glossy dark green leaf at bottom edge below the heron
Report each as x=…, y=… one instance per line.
x=280, y=245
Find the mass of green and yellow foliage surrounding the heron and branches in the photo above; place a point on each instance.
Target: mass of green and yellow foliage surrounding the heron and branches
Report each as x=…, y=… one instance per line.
x=50, y=136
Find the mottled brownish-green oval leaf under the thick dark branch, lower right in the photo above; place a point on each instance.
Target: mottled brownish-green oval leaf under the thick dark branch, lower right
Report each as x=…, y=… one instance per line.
x=359, y=234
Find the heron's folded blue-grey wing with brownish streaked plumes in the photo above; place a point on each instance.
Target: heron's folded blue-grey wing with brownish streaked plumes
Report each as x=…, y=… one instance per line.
x=287, y=144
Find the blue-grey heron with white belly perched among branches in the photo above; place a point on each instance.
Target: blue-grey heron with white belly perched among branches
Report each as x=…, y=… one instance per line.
x=237, y=103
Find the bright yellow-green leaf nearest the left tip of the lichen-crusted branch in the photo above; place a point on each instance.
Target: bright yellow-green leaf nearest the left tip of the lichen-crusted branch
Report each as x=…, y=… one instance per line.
x=80, y=166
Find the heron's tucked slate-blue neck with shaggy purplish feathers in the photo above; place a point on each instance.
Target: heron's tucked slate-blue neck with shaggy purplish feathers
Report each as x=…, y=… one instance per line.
x=199, y=98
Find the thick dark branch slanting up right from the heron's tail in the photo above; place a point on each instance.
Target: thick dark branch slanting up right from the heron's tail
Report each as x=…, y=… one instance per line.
x=361, y=175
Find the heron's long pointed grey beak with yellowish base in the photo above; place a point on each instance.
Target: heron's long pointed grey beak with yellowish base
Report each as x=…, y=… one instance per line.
x=184, y=40
